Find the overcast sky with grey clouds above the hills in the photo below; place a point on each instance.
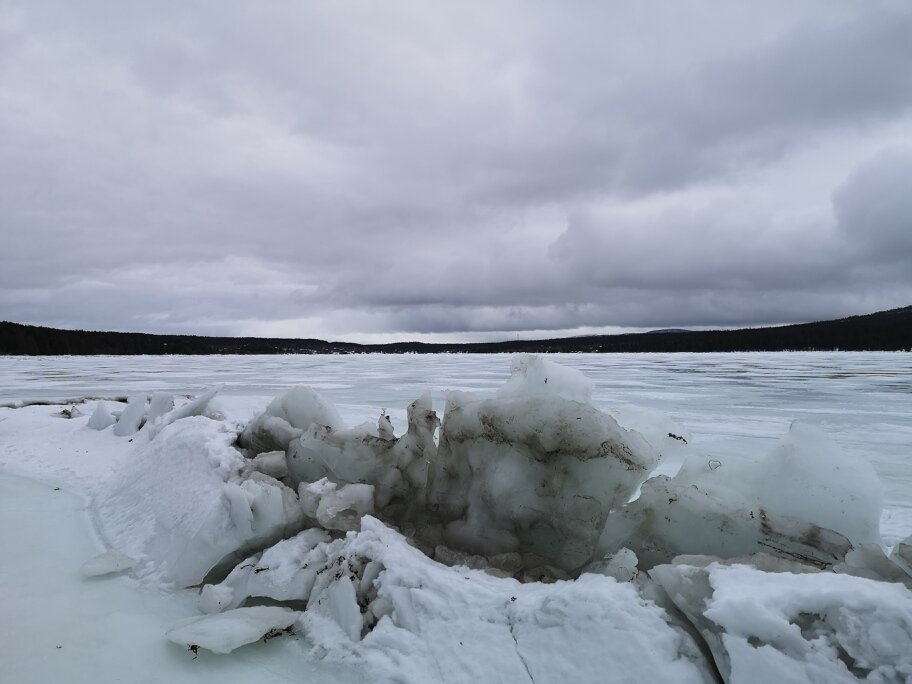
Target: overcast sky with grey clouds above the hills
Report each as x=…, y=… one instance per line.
x=417, y=170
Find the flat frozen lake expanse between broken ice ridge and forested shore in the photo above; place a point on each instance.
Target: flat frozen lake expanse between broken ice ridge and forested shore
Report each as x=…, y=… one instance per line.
x=728, y=403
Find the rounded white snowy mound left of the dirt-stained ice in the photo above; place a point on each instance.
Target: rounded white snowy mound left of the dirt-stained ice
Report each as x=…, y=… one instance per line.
x=186, y=501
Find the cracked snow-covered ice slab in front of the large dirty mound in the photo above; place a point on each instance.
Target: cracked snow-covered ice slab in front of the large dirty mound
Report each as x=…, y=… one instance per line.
x=373, y=597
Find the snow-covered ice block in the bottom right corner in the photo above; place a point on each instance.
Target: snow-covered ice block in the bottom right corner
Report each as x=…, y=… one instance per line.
x=787, y=627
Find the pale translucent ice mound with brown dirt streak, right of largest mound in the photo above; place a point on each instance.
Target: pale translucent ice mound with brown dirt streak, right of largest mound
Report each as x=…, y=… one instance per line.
x=806, y=500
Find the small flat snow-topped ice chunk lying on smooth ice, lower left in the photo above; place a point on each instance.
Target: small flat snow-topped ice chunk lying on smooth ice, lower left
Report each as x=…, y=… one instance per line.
x=224, y=632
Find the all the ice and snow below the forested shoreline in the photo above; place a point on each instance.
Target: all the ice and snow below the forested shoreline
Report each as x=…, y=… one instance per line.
x=457, y=518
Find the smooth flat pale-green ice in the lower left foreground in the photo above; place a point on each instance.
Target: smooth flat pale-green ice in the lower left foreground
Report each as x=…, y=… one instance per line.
x=58, y=627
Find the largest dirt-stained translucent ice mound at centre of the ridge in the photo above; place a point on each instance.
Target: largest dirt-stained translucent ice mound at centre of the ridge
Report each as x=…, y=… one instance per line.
x=534, y=470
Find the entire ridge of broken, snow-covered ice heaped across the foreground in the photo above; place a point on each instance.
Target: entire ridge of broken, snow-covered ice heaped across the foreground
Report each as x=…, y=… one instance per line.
x=513, y=533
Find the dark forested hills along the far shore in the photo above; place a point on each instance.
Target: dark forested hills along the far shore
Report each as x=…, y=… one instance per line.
x=882, y=331
